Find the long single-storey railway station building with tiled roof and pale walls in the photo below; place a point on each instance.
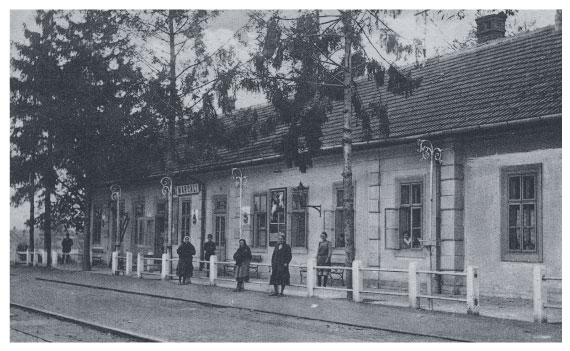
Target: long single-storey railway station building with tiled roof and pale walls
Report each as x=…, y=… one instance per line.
x=489, y=195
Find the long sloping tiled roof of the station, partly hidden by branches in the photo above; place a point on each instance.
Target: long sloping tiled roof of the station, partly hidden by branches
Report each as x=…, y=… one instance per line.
x=509, y=79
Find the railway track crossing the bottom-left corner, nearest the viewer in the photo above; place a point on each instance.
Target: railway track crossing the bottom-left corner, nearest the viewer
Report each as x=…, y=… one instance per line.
x=116, y=335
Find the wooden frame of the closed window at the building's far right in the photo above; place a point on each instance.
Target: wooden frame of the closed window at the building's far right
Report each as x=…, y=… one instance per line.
x=534, y=169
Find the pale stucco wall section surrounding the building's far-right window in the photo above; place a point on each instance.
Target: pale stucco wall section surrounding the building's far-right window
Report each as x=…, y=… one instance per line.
x=483, y=221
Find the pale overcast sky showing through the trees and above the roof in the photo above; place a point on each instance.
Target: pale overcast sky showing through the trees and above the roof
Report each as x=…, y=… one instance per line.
x=435, y=33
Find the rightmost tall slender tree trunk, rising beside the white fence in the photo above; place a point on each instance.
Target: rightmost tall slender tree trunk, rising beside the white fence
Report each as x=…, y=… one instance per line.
x=348, y=198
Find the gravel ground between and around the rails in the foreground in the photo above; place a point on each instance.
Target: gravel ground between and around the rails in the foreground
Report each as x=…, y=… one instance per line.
x=177, y=321
